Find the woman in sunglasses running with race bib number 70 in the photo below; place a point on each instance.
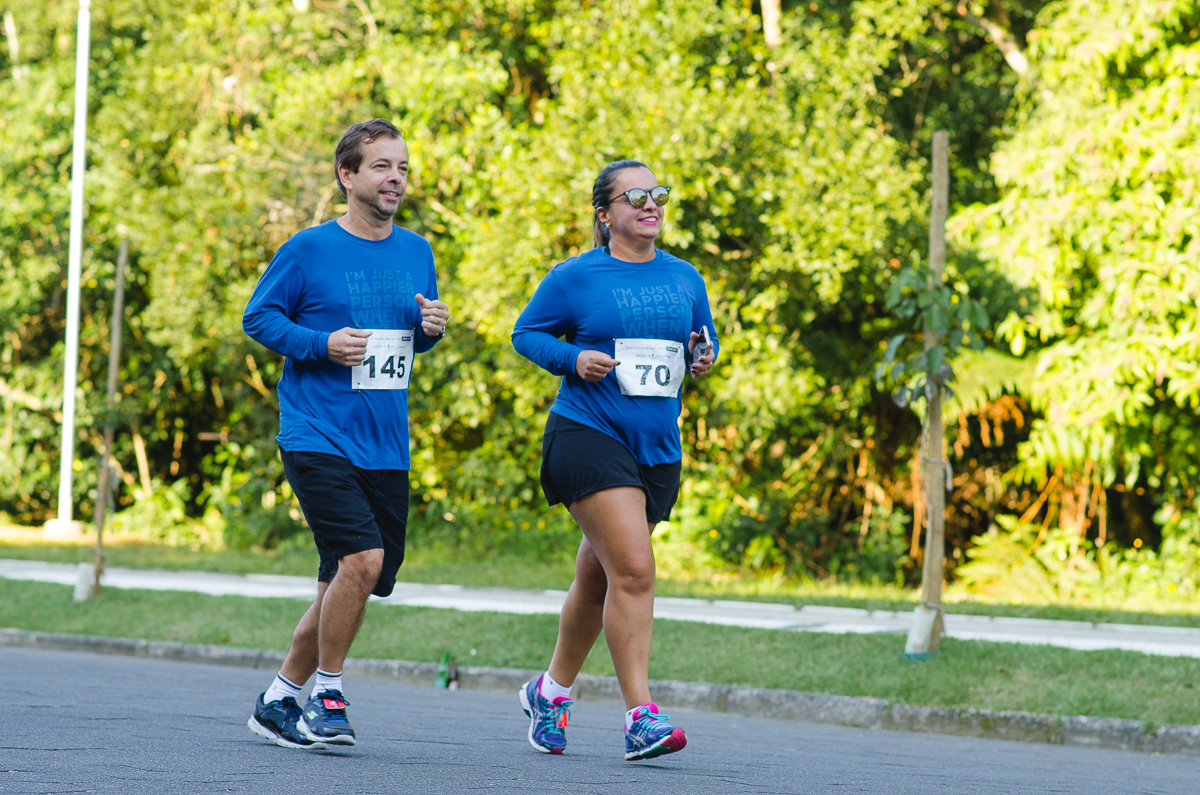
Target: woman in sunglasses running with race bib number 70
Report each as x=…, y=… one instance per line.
x=634, y=320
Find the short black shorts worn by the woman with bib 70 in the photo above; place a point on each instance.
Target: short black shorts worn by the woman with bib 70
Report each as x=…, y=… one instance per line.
x=578, y=461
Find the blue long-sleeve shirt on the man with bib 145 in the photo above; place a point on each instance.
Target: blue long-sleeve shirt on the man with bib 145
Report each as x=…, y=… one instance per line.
x=322, y=280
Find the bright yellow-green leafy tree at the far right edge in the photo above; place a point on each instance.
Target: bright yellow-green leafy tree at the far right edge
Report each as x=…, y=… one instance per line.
x=1099, y=218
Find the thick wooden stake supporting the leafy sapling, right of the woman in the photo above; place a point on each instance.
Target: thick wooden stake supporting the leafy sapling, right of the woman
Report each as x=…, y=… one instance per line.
x=927, y=627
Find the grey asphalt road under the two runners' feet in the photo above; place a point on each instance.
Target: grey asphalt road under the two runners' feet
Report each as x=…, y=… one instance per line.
x=91, y=724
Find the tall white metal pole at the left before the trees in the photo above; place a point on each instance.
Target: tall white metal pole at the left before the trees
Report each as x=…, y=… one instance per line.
x=75, y=265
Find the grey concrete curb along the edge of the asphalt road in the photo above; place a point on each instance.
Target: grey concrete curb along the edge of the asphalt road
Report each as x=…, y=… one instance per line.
x=751, y=702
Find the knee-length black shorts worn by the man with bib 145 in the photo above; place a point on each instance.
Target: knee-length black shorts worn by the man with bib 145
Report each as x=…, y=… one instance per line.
x=351, y=511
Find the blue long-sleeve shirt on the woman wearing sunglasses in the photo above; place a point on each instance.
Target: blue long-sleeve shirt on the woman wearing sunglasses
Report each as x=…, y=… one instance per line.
x=593, y=300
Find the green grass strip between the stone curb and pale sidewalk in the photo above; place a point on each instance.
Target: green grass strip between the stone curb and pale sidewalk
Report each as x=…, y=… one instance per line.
x=965, y=674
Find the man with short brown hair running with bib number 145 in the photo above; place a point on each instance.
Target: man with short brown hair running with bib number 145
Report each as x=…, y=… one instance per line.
x=349, y=303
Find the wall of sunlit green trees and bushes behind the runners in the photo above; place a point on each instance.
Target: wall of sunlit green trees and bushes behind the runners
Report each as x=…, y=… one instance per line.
x=801, y=194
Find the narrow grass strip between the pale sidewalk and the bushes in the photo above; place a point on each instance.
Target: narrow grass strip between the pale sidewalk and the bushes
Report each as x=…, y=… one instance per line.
x=427, y=565
